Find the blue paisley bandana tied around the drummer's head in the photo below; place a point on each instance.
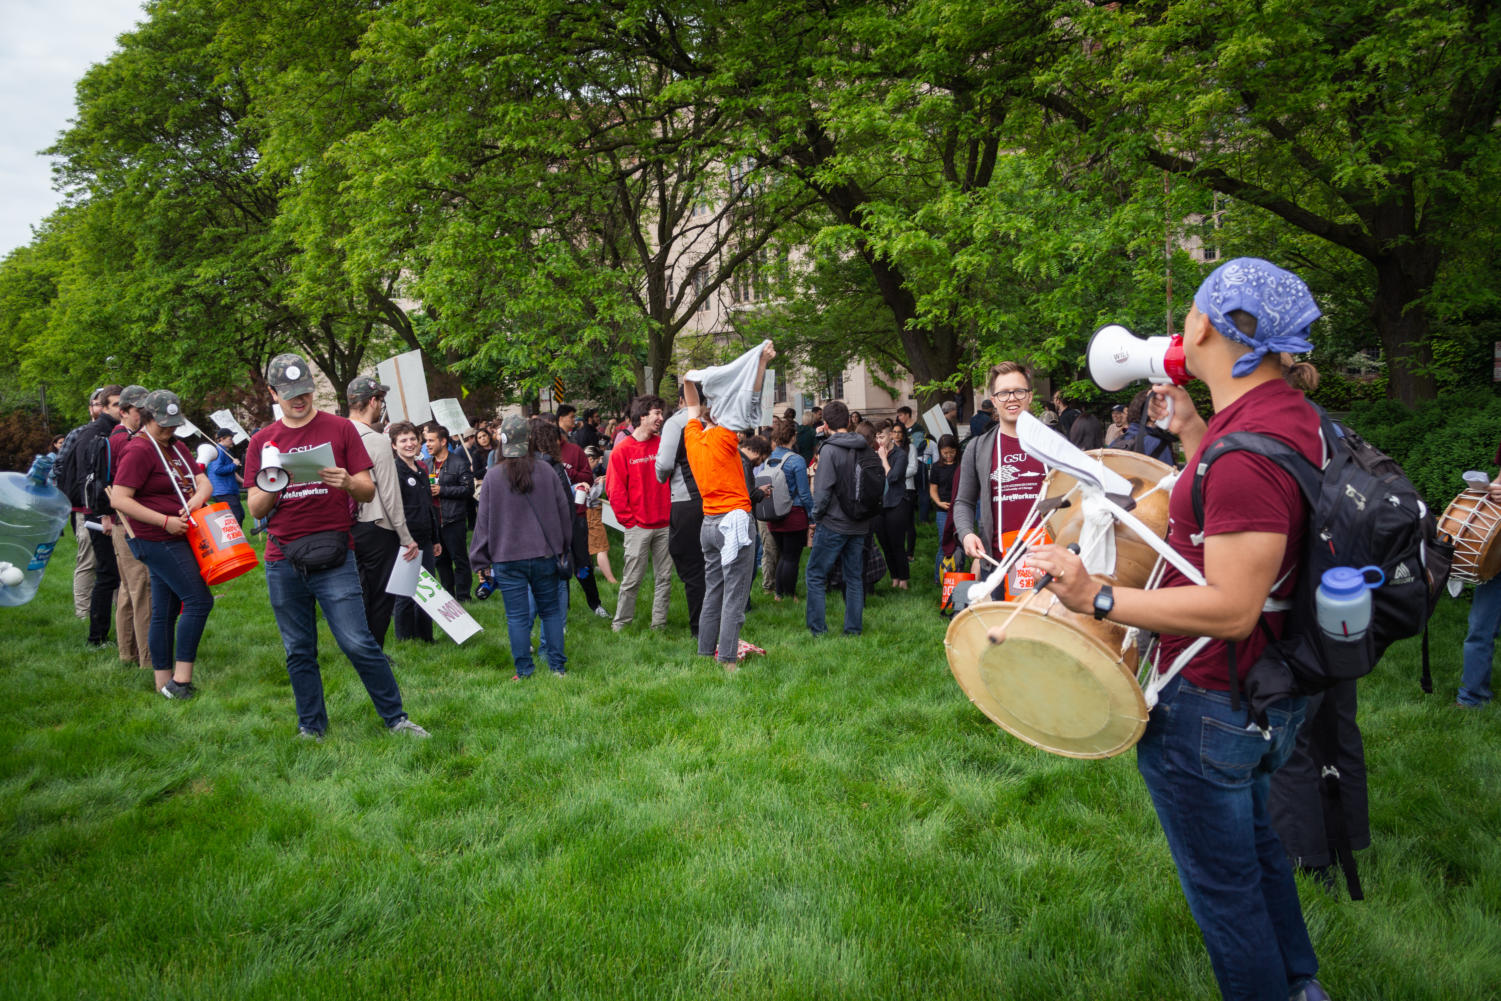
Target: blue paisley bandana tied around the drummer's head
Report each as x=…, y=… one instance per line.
x=1280, y=301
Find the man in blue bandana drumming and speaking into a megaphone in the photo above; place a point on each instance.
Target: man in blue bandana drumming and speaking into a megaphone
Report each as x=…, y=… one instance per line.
x=1208, y=771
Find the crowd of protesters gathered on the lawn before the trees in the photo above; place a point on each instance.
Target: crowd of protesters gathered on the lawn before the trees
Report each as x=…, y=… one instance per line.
x=709, y=491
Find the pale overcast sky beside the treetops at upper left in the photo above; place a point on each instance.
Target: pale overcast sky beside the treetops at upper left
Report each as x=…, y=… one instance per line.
x=46, y=47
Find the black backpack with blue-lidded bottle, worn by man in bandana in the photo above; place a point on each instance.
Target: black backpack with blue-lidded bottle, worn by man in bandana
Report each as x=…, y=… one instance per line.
x=1364, y=511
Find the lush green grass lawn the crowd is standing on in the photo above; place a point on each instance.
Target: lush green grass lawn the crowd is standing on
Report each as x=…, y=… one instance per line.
x=834, y=822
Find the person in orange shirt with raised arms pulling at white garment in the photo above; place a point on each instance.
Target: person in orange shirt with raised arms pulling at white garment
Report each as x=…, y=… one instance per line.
x=729, y=538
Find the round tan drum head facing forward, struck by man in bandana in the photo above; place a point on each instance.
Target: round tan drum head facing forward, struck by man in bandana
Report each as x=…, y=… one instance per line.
x=1050, y=684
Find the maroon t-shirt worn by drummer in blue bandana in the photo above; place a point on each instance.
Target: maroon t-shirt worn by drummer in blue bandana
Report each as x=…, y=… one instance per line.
x=1244, y=493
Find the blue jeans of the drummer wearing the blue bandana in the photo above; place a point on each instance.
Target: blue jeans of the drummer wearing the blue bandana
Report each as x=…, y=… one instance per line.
x=1209, y=777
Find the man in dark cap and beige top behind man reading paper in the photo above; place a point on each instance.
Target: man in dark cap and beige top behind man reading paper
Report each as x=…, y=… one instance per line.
x=381, y=528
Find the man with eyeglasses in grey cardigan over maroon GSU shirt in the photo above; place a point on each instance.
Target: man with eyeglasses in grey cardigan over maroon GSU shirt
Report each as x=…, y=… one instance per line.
x=996, y=473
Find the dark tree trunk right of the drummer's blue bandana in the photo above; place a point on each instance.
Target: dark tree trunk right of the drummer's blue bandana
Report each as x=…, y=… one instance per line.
x=1404, y=277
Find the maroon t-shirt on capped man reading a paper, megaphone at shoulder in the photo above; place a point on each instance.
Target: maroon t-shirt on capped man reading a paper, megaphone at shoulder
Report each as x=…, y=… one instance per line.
x=308, y=508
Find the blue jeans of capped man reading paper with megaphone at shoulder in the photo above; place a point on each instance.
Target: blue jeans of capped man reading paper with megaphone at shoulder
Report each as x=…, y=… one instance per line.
x=296, y=600
